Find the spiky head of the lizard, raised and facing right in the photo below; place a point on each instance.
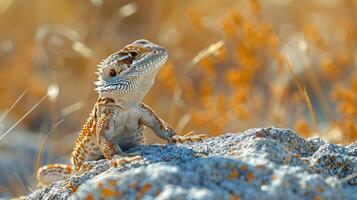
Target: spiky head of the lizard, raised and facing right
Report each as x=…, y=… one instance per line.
x=128, y=74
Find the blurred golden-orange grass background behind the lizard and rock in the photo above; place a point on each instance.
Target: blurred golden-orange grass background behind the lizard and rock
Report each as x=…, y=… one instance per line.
x=233, y=65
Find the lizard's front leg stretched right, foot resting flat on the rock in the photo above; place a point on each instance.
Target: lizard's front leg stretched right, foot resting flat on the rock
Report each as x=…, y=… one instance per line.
x=162, y=129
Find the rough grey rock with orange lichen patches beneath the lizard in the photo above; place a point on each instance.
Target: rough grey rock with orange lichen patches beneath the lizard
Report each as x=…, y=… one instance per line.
x=264, y=163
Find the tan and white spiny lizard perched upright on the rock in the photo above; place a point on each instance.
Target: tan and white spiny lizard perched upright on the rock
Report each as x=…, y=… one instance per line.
x=118, y=117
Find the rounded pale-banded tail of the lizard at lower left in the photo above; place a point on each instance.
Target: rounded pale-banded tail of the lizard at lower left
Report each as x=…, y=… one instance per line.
x=53, y=172
